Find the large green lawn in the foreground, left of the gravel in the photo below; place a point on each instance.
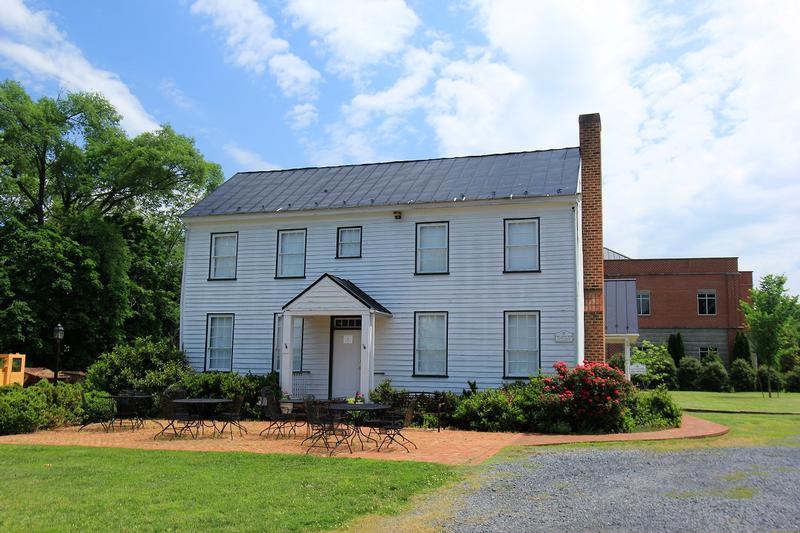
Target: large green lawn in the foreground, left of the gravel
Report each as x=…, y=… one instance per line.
x=59, y=488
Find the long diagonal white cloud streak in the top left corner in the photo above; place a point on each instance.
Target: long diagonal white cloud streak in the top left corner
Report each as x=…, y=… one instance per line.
x=33, y=45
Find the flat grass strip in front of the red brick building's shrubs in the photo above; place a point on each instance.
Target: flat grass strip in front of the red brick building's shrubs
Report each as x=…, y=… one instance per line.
x=787, y=402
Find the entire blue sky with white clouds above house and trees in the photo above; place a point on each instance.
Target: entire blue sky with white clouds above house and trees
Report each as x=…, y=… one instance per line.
x=699, y=100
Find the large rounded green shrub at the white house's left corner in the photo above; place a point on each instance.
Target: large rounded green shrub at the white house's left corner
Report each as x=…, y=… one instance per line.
x=146, y=364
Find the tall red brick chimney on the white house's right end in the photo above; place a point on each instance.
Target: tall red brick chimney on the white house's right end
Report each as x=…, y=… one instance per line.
x=592, y=238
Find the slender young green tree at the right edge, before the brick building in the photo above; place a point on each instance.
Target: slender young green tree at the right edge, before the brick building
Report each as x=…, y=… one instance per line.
x=772, y=308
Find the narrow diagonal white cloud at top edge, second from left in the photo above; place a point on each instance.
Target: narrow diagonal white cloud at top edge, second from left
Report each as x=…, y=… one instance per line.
x=252, y=45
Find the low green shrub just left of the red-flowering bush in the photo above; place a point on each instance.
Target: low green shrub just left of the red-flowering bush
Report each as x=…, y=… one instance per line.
x=489, y=410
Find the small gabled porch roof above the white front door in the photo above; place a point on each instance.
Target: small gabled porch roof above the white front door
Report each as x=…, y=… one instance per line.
x=332, y=295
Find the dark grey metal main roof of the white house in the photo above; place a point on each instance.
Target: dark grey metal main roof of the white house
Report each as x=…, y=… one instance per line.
x=521, y=174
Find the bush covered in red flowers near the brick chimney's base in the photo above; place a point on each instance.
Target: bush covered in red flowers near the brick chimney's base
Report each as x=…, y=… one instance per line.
x=590, y=397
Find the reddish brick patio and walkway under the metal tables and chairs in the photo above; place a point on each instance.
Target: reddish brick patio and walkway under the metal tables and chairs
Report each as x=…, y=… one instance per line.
x=447, y=446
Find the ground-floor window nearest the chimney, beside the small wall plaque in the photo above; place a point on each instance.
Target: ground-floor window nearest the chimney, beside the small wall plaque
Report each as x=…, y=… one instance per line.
x=522, y=343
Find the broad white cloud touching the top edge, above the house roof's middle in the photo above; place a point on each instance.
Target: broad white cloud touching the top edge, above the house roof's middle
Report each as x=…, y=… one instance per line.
x=357, y=32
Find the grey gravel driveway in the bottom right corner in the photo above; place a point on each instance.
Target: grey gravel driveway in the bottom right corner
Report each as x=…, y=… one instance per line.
x=752, y=489
